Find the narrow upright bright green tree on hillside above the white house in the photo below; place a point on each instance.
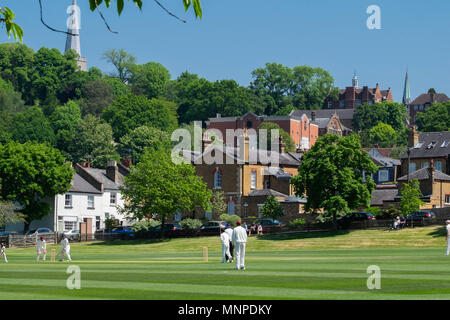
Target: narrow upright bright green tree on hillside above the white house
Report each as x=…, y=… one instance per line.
x=65, y=120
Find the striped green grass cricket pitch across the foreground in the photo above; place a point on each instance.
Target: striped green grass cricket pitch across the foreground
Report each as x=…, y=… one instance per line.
x=292, y=266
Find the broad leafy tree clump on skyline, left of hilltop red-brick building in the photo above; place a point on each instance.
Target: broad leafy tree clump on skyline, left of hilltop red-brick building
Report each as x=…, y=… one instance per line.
x=304, y=87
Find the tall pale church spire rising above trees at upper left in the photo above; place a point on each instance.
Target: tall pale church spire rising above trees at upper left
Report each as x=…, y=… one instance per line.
x=73, y=36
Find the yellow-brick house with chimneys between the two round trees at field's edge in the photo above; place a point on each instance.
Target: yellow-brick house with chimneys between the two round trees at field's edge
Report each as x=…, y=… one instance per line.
x=247, y=177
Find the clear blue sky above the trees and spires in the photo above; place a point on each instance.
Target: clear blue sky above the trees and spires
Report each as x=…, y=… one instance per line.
x=236, y=36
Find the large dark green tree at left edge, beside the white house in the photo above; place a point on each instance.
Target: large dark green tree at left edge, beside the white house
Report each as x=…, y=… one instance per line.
x=30, y=174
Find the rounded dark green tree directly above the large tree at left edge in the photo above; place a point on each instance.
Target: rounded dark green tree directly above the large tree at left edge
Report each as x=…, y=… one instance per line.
x=32, y=125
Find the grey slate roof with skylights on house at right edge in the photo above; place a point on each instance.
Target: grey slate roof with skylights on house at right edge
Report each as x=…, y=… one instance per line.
x=431, y=145
